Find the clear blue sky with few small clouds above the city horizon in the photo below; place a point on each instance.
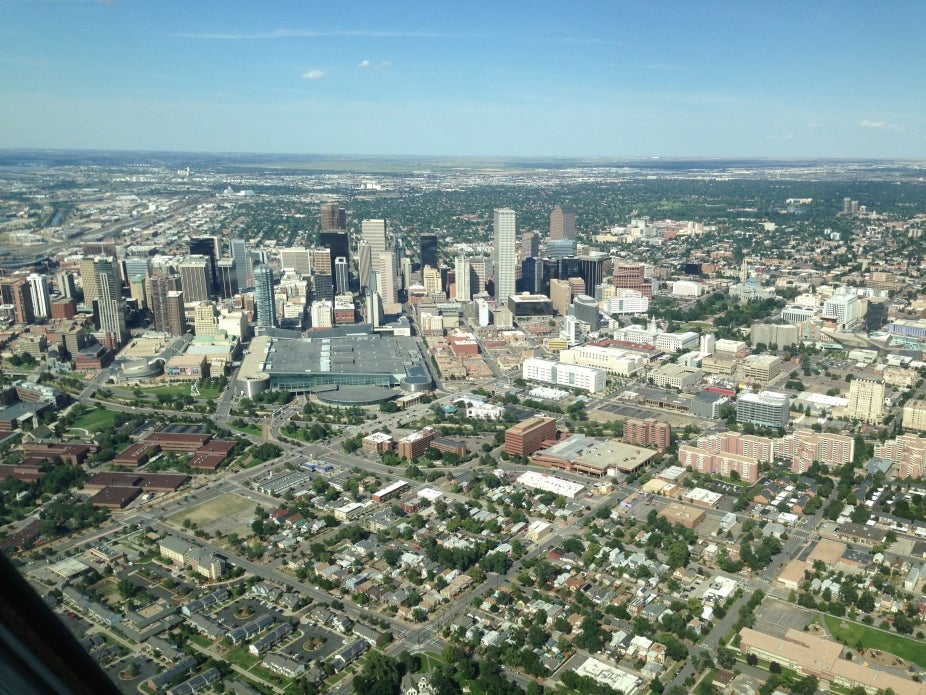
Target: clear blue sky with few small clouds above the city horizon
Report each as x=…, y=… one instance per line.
x=528, y=78
